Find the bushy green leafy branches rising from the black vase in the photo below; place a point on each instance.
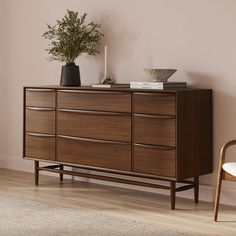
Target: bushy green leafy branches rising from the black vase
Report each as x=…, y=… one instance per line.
x=71, y=36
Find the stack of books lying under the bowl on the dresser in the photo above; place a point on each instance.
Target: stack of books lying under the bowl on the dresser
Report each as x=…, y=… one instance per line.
x=157, y=85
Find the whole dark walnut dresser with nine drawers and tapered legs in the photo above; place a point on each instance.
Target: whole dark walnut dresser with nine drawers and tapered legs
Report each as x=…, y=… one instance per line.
x=158, y=135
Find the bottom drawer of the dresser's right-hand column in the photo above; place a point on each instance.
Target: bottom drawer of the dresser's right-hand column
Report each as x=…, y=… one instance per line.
x=155, y=160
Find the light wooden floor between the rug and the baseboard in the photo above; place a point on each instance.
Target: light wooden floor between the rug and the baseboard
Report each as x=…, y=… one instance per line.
x=137, y=205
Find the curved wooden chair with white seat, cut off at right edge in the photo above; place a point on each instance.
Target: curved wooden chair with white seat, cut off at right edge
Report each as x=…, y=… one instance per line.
x=227, y=171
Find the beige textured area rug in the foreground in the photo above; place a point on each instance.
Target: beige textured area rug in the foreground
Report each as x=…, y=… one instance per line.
x=27, y=217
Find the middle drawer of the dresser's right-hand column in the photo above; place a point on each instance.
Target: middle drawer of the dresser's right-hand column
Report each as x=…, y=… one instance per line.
x=154, y=129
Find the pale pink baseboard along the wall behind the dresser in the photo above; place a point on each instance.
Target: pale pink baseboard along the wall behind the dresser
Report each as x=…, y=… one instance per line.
x=206, y=191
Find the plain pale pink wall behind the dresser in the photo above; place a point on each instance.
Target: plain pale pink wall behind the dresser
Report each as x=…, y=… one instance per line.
x=198, y=37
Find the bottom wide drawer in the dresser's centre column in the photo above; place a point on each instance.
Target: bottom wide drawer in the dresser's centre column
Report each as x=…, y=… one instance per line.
x=105, y=154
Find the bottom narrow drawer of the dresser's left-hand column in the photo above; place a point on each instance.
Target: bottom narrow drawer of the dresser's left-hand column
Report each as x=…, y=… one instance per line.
x=40, y=146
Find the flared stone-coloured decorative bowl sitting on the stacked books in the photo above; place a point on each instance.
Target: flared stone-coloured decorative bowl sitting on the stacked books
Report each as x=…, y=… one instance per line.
x=160, y=75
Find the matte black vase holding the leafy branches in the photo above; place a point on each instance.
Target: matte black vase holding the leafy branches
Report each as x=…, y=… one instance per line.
x=70, y=75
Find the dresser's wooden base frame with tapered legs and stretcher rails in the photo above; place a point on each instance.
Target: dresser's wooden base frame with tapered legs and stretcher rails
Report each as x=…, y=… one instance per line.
x=185, y=184
